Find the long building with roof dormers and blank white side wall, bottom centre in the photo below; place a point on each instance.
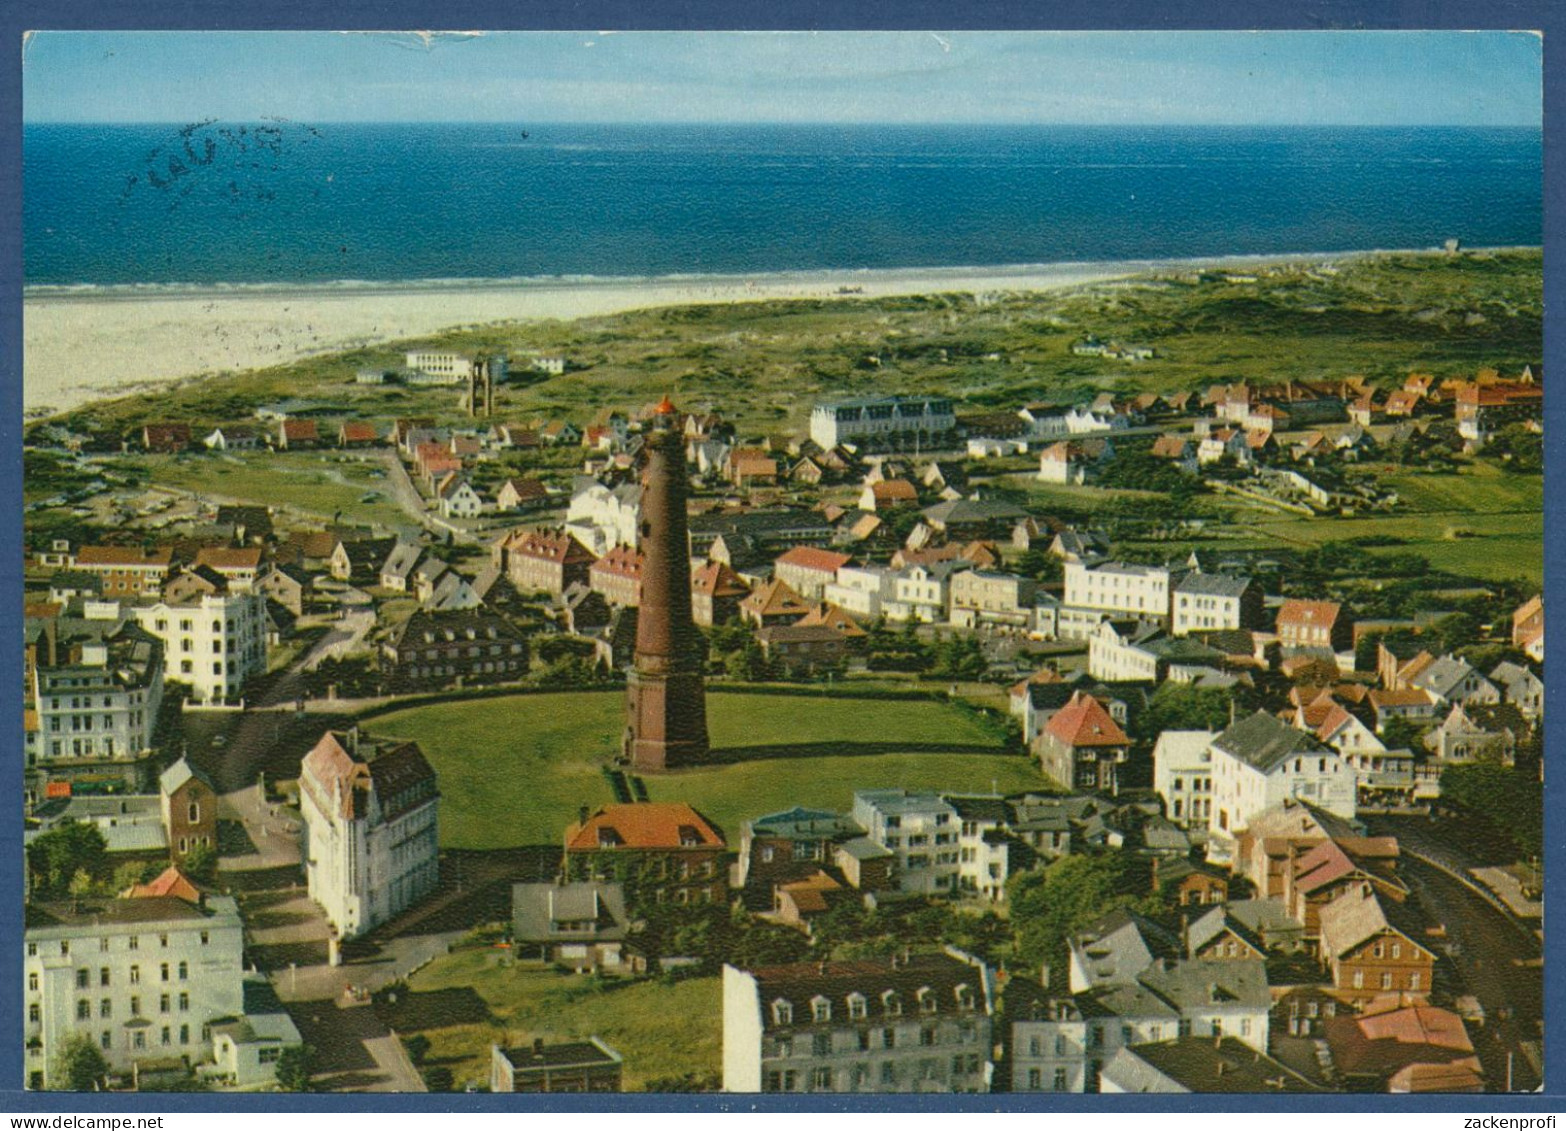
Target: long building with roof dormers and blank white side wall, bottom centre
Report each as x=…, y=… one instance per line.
x=918, y=1024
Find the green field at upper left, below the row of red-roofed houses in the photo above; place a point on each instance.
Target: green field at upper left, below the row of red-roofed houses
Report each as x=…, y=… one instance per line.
x=316, y=483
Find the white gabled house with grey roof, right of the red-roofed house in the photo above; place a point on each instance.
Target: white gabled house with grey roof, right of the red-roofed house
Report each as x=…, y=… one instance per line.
x=1261, y=762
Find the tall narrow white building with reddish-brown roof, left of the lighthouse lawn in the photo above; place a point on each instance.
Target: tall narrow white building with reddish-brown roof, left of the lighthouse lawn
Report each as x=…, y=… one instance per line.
x=370, y=840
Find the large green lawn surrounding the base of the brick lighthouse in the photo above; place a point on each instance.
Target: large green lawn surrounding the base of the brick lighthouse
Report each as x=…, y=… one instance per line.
x=514, y=771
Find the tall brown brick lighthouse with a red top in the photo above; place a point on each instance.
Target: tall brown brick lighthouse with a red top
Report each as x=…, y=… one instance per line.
x=666, y=699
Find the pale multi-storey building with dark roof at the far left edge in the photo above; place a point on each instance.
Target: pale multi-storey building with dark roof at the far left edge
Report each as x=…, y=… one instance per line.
x=98, y=707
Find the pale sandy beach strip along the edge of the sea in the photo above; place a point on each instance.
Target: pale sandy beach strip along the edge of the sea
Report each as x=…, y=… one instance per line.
x=87, y=342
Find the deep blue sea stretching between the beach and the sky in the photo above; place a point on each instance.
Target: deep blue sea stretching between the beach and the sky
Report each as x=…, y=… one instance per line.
x=289, y=203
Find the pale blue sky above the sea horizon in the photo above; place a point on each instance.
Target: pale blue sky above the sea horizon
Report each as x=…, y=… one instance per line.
x=1108, y=78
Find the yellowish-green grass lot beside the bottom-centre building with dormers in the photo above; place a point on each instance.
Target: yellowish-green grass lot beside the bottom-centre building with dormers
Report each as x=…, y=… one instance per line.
x=466, y=1002
